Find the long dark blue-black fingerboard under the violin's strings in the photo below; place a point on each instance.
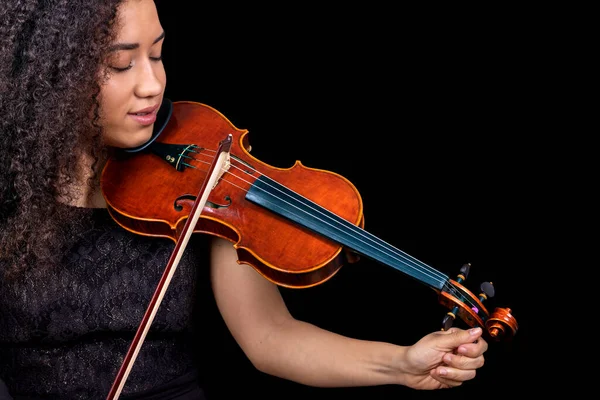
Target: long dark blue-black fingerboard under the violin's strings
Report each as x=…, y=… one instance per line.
x=281, y=200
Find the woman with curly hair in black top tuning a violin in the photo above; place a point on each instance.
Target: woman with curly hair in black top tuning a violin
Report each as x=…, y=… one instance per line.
x=79, y=79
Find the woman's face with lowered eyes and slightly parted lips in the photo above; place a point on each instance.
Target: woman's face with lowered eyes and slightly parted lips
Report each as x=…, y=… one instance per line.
x=133, y=92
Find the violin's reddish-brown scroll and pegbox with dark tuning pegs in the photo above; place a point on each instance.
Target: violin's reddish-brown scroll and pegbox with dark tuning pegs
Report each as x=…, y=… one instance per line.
x=462, y=303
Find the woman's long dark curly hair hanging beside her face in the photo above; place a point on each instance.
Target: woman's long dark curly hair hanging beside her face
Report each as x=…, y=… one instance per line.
x=51, y=57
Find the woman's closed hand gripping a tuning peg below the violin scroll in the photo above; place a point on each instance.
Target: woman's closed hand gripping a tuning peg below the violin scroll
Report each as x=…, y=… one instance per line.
x=445, y=359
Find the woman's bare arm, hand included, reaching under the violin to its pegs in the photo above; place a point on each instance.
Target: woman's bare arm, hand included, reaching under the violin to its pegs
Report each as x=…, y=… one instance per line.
x=280, y=345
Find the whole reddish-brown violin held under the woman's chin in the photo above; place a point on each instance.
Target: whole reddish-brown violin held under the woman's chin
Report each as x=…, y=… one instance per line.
x=296, y=226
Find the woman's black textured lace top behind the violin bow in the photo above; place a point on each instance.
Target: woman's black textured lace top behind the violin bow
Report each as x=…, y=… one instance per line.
x=64, y=335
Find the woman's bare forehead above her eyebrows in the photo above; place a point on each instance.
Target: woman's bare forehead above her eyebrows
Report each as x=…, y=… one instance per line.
x=138, y=18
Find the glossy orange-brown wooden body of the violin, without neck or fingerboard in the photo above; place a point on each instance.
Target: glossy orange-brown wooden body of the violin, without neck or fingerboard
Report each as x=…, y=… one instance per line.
x=154, y=199
